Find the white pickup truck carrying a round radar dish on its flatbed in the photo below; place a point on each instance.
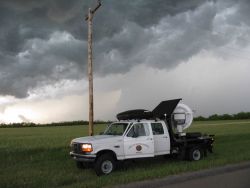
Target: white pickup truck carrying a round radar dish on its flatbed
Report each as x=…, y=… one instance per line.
x=140, y=134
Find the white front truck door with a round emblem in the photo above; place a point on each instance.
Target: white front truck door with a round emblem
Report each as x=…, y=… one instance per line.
x=139, y=142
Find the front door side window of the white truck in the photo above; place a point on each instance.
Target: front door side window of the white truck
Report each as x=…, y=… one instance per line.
x=138, y=129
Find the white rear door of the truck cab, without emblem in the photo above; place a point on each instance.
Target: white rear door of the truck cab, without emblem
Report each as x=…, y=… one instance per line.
x=161, y=138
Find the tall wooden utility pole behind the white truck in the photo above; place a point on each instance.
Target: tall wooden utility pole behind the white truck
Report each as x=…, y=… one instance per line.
x=89, y=19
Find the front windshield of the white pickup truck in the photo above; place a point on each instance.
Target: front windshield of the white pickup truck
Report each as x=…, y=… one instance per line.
x=116, y=129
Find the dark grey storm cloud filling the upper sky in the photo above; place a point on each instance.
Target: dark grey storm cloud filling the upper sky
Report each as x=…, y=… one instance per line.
x=44, y=42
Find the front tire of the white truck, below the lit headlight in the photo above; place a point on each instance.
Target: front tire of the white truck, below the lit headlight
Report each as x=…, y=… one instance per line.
x=105, y=164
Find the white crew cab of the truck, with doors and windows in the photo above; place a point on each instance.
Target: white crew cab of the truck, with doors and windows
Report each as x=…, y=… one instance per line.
x=140, y=139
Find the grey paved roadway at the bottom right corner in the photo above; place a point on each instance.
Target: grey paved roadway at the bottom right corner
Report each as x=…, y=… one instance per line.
x=229, y=176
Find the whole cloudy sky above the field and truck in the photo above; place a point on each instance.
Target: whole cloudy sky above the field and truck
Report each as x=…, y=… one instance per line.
x=145, y=51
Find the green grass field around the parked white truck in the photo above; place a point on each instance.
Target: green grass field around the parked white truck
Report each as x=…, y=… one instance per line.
x=38, y=157
